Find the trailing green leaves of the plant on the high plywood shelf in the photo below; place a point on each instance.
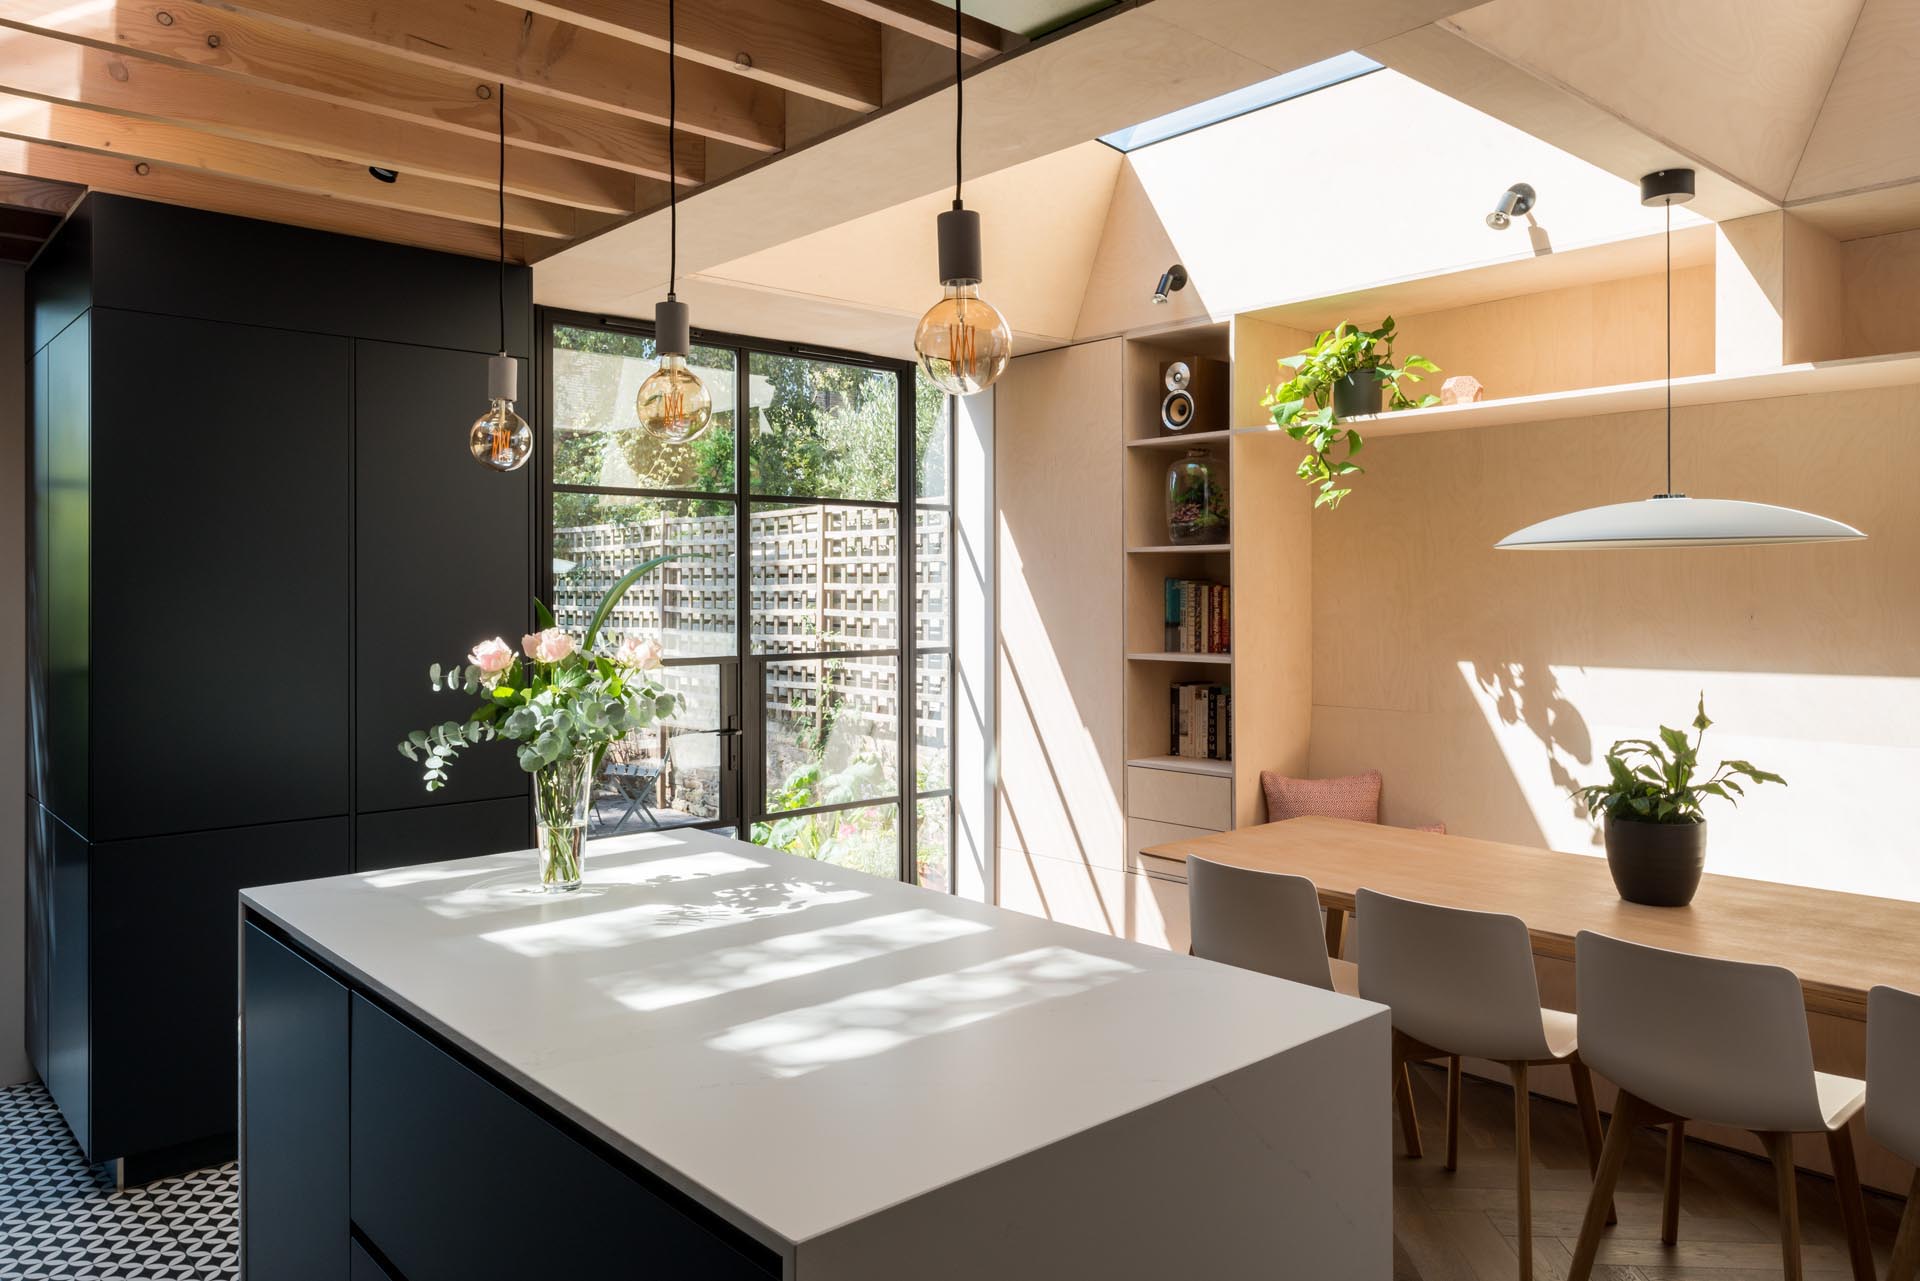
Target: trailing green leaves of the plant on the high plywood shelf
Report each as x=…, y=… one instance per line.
x=1335, y=356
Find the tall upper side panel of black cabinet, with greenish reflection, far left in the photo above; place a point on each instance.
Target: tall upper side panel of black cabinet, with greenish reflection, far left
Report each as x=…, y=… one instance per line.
x=68, y=573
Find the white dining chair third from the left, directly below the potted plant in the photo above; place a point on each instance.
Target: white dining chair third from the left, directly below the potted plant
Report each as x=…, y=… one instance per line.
x=1708, y=1040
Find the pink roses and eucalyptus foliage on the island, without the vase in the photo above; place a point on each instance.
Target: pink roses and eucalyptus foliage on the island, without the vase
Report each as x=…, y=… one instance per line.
x=583, y=702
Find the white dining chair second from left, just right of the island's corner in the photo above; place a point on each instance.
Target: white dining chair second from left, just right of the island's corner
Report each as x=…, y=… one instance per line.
x=1462, y=984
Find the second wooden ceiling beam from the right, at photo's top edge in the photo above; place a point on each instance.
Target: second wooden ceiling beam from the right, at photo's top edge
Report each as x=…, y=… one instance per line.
x=802, y=47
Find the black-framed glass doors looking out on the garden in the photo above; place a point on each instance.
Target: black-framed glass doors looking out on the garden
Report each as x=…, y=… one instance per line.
x=804, y=627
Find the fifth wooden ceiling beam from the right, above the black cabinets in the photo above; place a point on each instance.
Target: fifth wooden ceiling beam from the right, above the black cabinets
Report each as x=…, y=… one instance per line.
x=59, y=70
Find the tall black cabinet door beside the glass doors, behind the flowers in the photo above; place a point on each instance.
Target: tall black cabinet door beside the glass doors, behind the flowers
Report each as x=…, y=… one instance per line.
x=443, y=562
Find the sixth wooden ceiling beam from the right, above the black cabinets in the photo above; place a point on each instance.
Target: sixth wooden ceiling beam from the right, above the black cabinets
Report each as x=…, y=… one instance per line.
x=32, y=120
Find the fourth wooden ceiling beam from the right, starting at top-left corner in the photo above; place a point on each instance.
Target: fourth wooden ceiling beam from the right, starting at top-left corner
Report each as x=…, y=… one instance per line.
x=375, y=82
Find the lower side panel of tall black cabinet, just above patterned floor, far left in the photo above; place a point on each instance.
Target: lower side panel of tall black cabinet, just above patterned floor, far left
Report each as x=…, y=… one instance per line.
x=68, y=1044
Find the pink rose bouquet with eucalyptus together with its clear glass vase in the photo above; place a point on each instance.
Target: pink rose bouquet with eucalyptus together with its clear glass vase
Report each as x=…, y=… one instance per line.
x=565, y=704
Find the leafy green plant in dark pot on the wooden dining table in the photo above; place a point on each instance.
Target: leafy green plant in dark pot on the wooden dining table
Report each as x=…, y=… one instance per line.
x=1652, y=804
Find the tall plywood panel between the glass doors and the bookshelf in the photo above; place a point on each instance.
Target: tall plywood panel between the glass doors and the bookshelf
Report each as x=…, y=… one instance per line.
x=1057, y=479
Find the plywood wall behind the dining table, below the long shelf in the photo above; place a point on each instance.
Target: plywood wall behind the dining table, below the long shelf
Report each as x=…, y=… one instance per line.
x=1485, y=683
